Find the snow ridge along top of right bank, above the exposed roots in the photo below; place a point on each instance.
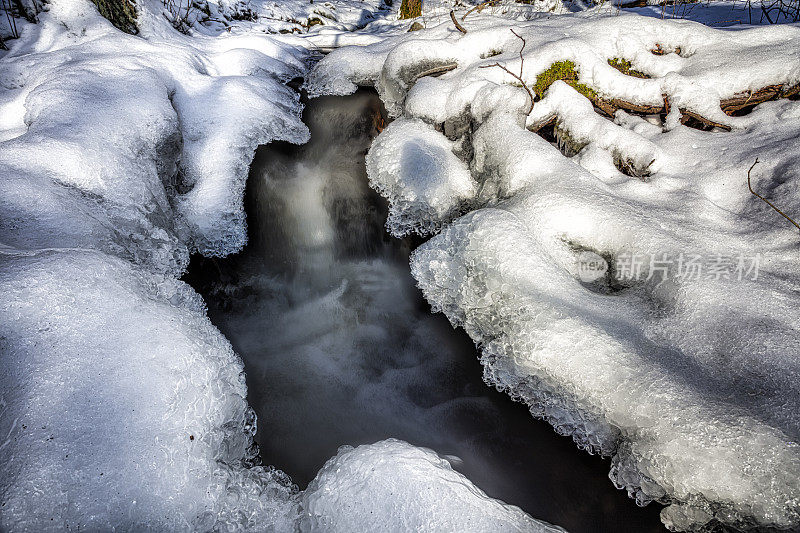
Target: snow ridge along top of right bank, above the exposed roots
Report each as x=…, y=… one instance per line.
x=695, y=79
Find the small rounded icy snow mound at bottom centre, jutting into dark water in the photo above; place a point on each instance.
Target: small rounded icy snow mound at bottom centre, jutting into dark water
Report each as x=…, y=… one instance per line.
x=394, y=486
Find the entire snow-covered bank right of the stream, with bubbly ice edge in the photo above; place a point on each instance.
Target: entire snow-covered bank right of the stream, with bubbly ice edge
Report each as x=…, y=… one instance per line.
x=688, y=382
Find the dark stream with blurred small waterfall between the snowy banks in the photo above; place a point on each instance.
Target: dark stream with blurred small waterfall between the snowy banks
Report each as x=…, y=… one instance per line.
x=340, y=348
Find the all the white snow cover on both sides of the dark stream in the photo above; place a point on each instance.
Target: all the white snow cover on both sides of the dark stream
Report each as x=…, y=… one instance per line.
x=122, y=406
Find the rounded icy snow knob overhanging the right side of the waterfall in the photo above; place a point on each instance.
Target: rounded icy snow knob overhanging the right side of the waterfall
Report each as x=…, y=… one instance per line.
x=414, y=167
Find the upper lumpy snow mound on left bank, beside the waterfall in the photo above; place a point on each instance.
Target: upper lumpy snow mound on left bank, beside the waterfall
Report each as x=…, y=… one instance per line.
x=159, y=164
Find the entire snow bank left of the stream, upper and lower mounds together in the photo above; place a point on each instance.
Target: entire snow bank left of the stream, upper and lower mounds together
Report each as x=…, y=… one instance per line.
x=122, y=406
